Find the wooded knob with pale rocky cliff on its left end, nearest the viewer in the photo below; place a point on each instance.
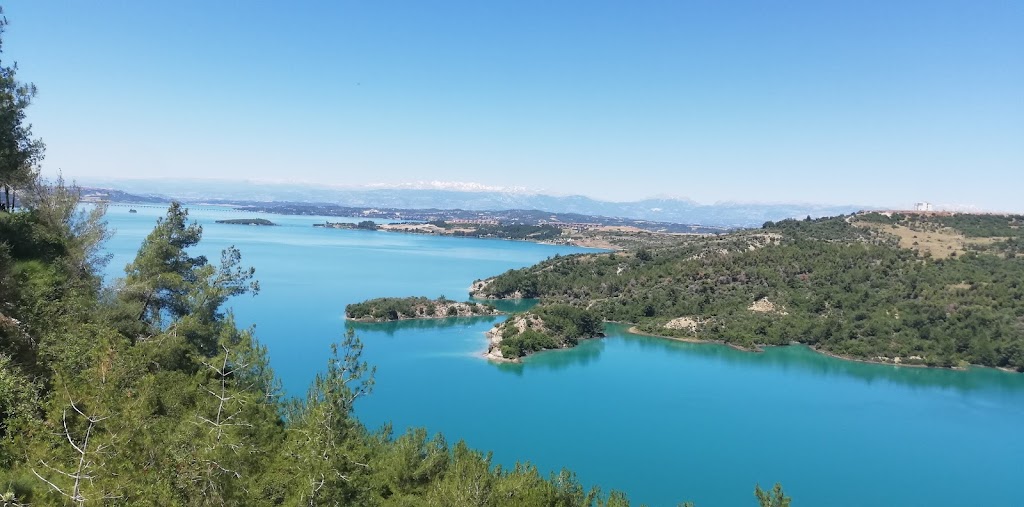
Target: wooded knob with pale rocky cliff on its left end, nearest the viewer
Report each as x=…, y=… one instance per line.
x=557, y=326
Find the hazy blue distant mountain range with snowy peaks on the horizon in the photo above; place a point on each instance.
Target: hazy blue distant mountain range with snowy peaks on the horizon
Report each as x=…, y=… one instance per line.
x=442, y=195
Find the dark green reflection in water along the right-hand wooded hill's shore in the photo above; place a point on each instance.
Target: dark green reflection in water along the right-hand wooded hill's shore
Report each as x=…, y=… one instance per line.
x=804, y=359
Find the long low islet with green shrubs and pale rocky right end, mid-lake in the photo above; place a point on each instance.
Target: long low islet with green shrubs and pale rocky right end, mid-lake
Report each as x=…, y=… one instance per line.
x=396, y=309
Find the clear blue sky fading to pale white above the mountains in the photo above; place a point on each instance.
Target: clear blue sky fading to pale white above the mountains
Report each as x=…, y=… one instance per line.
x=868, y=103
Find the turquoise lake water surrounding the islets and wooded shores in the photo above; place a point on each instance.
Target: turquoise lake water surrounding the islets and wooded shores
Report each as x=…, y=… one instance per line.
x=665, y=421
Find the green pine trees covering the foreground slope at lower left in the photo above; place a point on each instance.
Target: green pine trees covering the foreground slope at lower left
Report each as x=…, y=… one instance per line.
x=147, y=393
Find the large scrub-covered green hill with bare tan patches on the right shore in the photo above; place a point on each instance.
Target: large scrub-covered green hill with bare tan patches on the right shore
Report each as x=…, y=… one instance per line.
x=843, y=285
